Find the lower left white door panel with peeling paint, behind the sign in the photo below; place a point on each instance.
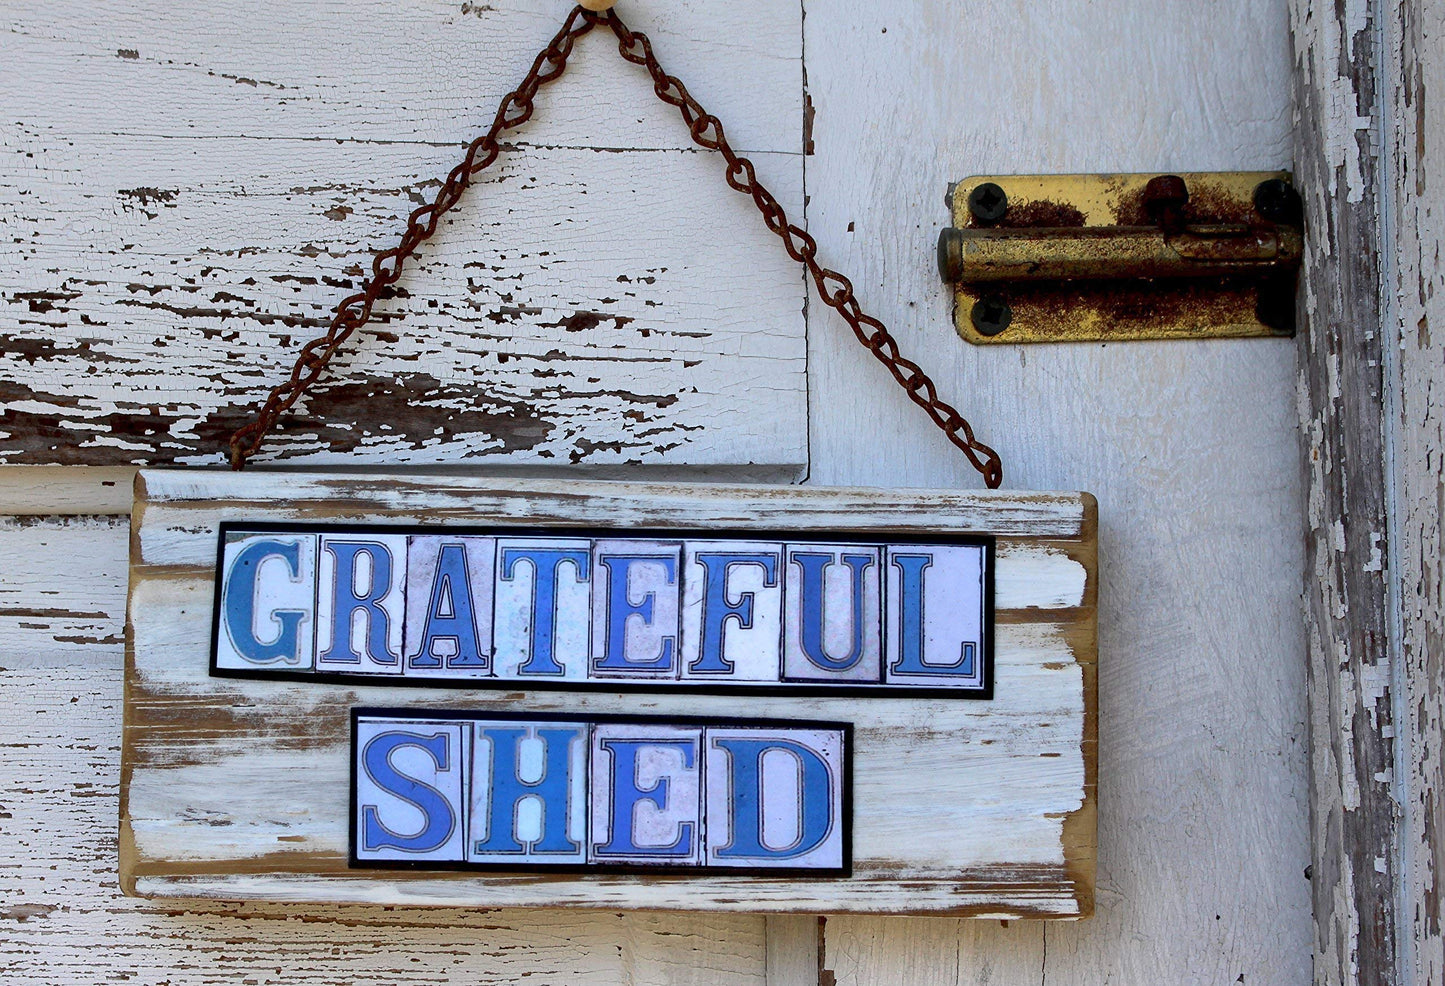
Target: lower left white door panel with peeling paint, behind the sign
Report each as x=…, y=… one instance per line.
x=63, y=919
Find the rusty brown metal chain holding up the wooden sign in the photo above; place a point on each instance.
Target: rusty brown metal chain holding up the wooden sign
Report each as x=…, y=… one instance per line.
x=834, y=288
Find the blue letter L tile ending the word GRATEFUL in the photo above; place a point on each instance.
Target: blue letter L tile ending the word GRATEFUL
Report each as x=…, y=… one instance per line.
x=936, y=617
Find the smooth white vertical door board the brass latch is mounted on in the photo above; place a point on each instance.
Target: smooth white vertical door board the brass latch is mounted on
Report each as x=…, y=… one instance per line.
x=1193, y=449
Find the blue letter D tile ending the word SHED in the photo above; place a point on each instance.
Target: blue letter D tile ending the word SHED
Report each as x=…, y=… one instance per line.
x=775, y=797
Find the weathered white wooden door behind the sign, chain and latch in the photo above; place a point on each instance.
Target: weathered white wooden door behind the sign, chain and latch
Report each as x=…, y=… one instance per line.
x=858, y=116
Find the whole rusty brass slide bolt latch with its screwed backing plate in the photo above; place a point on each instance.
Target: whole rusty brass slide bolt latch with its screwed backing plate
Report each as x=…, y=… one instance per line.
x=1103, y=258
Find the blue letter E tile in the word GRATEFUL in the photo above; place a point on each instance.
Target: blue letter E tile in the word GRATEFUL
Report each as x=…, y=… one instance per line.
x=637, y=595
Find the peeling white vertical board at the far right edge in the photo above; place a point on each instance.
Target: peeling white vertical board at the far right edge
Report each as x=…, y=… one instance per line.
x=1414, y=83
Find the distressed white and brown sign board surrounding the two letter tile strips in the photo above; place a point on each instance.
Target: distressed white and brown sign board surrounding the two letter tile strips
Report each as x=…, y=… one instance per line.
x=239, y=789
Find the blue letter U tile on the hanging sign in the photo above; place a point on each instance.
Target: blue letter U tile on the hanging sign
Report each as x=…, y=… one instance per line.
x=833, y=614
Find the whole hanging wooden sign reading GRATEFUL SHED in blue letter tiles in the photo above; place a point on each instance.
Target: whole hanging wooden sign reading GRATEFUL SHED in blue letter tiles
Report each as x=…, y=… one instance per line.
x=918, y=732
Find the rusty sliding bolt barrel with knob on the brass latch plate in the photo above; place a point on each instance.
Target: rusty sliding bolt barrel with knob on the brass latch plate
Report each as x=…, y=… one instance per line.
x=1173, y=248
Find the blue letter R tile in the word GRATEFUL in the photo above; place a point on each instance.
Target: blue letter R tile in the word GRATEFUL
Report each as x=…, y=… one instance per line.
x=361, y=604
